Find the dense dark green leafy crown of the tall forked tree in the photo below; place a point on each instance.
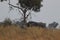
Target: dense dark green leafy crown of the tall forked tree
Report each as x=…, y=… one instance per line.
x=35, y=5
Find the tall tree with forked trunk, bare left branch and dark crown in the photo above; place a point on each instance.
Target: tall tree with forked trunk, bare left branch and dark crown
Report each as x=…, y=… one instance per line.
x=27, y=5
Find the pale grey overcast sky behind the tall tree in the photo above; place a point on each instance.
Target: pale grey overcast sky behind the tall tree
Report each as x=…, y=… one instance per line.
x=49, y=13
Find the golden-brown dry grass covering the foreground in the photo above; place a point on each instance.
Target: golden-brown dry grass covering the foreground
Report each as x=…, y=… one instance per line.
x=31, y=33
